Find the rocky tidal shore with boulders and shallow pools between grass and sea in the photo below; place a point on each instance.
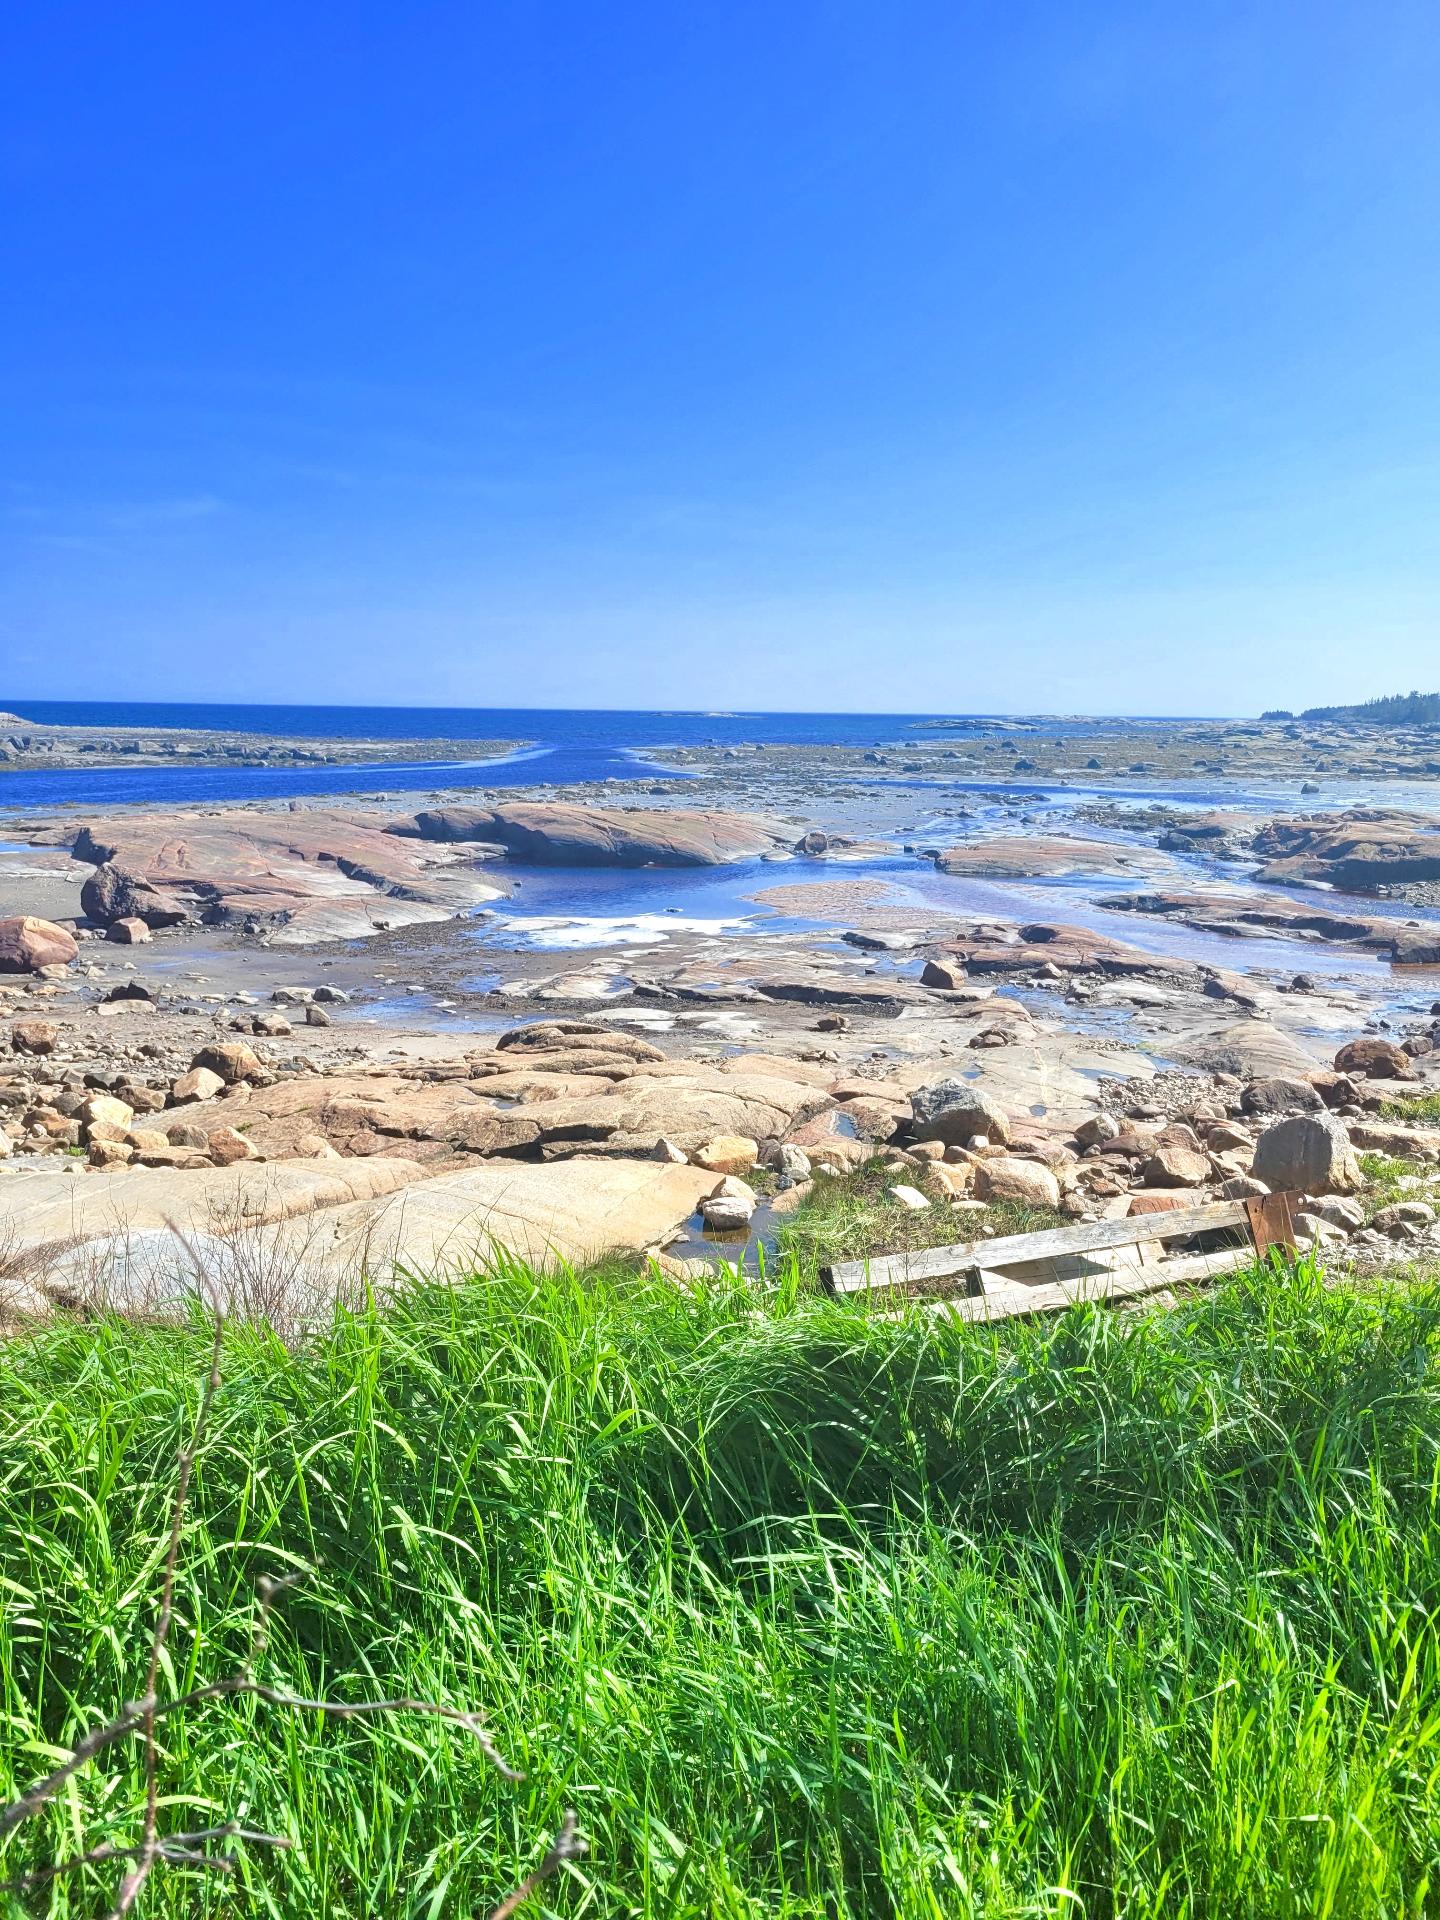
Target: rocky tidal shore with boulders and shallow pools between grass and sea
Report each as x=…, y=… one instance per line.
x=241, y=996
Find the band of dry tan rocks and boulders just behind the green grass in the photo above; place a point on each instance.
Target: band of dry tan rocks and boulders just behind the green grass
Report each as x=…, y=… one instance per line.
x=277, y=1191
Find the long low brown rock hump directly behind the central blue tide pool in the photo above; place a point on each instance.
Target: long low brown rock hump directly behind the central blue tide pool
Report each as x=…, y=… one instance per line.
x=600, y=836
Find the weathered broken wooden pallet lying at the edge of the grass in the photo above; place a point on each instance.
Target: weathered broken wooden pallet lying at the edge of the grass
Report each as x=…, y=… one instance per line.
x=1103, y=1260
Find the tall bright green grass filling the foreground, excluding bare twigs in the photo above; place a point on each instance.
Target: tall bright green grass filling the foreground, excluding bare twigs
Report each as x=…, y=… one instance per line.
x=805, y=1614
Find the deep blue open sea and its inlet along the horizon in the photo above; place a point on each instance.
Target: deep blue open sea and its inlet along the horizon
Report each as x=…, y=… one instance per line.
x=565, y=746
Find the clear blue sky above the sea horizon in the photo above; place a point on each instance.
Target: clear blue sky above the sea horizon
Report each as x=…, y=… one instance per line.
x=871, y=356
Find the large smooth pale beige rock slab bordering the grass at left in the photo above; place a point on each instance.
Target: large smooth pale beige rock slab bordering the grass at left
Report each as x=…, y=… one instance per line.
x=287, y=1241
